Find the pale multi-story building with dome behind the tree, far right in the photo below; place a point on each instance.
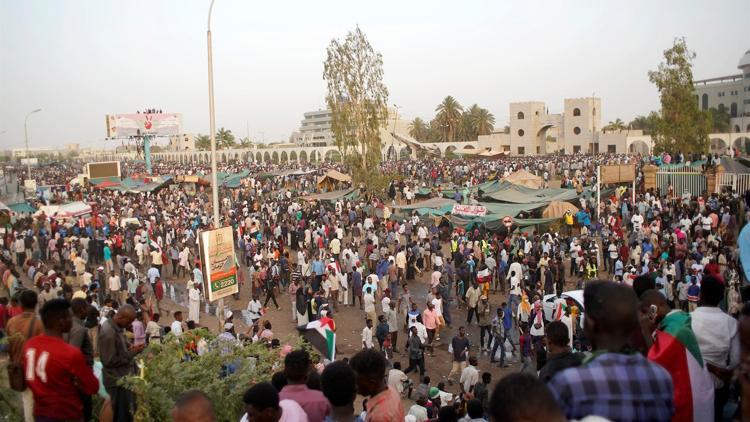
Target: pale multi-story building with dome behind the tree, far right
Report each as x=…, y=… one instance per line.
x=729, y=93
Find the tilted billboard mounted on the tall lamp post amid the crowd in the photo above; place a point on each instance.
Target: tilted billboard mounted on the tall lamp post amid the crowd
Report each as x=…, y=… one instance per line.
x=219, y=267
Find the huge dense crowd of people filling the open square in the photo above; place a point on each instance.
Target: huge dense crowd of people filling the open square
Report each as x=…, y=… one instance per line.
x=630, y=309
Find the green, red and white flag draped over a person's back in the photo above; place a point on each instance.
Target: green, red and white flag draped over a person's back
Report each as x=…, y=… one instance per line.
x=676, y=349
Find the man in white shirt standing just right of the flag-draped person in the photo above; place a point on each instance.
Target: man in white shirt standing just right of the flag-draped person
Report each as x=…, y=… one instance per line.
x=717, y=337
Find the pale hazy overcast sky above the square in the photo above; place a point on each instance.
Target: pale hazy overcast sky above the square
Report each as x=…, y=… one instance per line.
x=80, y=60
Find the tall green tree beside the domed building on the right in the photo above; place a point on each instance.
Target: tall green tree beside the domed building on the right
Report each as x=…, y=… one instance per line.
x=681, y=126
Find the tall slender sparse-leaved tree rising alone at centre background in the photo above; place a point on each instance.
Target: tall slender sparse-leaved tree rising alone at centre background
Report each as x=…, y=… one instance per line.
x=357, y=98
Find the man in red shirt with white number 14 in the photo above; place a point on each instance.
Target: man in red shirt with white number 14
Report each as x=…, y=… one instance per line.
x=56, y=372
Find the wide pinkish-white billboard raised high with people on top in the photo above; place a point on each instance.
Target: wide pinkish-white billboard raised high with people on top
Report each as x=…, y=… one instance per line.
x=157, y=124
